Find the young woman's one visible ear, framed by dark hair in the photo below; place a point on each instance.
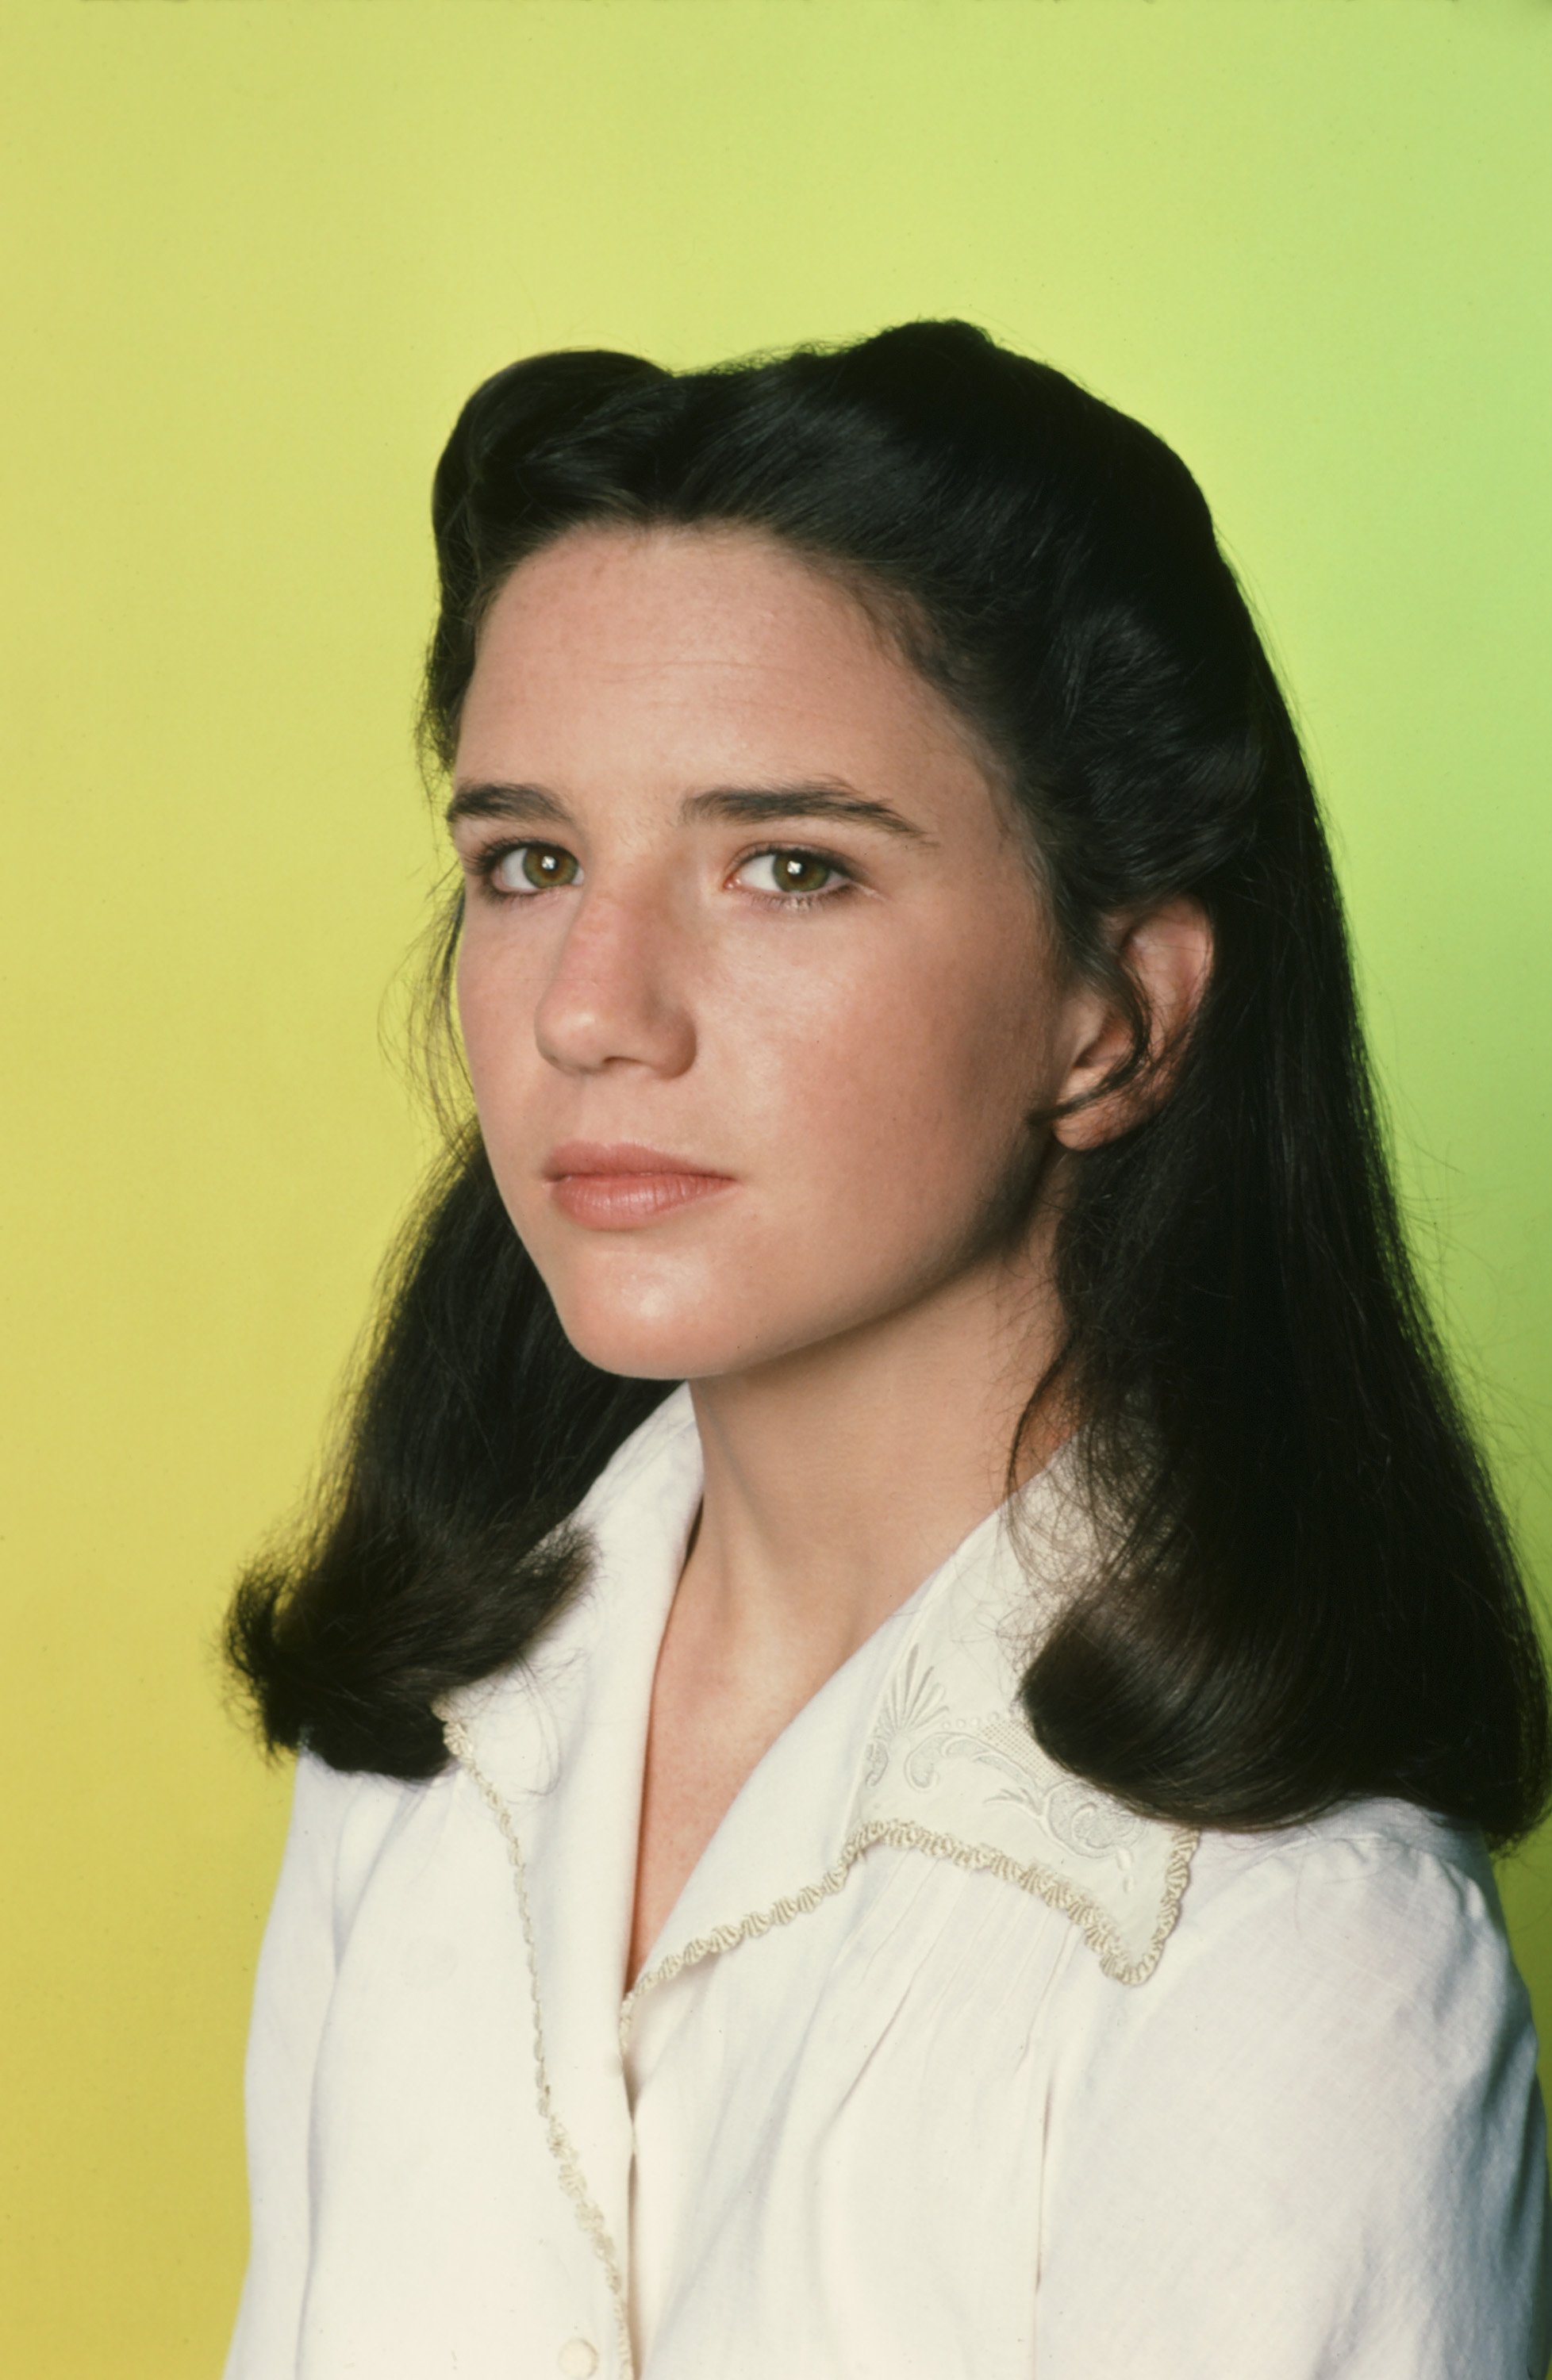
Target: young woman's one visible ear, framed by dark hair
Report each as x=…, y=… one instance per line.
x=1168, y=953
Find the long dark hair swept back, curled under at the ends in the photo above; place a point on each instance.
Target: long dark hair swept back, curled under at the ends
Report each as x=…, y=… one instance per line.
x=1306, y=1584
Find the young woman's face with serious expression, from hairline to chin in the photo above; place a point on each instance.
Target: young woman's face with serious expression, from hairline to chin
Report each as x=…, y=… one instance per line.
x=741, y=898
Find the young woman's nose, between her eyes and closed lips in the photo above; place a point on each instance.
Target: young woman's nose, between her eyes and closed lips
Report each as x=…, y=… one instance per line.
x=618, y=994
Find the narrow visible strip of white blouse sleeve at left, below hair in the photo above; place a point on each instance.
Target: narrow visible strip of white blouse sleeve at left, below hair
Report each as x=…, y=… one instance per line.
x=289, y=2008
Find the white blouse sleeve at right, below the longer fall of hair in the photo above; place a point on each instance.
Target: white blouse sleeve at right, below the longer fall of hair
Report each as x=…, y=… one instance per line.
x=1313, y=2143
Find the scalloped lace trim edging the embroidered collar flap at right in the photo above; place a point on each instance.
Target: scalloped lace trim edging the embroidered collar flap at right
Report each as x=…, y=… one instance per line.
x=1056, y=1891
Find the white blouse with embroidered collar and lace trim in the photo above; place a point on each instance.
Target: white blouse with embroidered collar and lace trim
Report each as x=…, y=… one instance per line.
x=944, y=2067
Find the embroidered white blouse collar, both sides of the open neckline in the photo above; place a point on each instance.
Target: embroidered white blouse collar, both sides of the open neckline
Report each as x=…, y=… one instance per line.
x=918, y=1741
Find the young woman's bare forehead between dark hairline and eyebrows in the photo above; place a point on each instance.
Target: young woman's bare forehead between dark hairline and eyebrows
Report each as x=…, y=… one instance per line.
x=694, y=649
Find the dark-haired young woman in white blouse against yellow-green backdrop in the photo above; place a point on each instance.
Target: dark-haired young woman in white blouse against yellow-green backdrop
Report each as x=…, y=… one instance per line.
x=910, y=1672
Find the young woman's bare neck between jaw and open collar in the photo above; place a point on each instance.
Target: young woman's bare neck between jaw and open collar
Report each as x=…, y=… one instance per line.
x=841, y=1477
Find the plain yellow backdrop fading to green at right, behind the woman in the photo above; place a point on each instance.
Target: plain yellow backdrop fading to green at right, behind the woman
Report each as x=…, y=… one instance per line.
x=254, y=261
